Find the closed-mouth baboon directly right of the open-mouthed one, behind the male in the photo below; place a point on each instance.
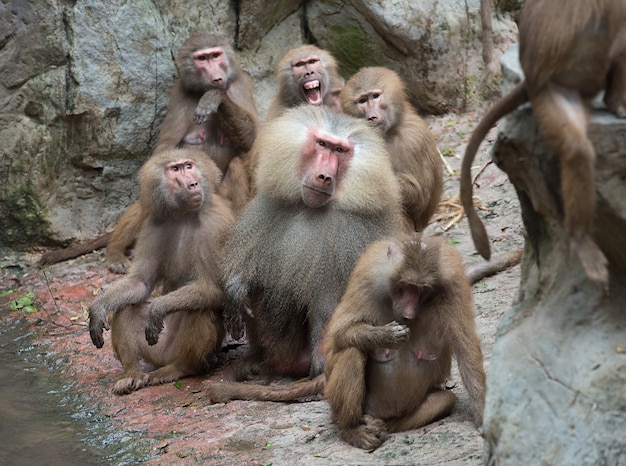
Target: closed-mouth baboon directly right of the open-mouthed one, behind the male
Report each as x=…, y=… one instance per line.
x=378, y=95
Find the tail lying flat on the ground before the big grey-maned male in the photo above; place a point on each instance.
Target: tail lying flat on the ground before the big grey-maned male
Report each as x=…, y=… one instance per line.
x=221, y=392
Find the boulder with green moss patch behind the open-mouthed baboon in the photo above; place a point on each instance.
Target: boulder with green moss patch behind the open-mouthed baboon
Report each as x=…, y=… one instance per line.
x=434, y=46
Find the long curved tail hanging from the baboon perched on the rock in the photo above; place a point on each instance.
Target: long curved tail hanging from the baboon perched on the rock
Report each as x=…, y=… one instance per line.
x=505, y=105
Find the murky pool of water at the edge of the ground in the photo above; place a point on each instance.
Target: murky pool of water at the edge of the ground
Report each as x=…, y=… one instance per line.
x=43, y=422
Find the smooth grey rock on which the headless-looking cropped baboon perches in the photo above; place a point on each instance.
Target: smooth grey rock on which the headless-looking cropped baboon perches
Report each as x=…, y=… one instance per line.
x=557, y=379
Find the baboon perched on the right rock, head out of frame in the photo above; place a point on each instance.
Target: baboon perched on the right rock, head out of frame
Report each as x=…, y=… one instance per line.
x=570, y=50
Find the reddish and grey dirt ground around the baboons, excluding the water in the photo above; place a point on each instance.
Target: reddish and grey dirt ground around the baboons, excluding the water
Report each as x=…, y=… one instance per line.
x=179, y=424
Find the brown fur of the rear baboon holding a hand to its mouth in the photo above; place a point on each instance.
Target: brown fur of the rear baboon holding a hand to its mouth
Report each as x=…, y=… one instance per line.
x=227, y=115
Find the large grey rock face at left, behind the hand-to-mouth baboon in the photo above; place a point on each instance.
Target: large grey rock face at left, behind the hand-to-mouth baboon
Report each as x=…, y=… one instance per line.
x=83, y=91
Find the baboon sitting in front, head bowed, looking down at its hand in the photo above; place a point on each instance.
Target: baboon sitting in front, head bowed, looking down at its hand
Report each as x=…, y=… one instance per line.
x=406, y=311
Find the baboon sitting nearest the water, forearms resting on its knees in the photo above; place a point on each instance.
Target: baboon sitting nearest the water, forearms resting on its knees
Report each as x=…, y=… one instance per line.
x=179, y=248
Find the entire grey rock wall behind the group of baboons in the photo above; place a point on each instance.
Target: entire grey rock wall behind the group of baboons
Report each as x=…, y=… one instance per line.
x=84, y=86
